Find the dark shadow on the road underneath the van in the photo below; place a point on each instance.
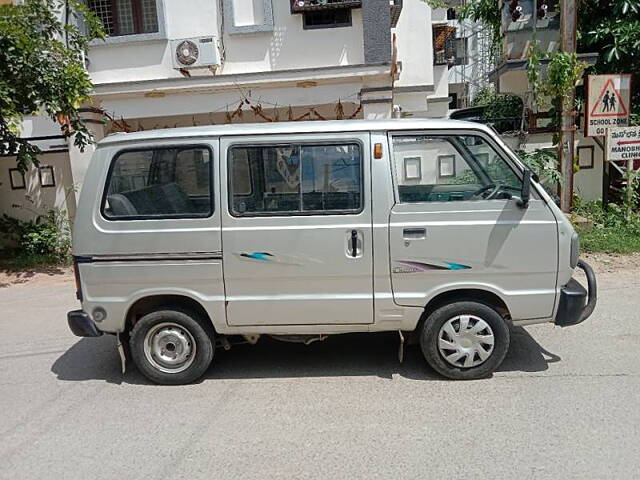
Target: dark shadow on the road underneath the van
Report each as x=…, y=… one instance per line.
x=339, y=355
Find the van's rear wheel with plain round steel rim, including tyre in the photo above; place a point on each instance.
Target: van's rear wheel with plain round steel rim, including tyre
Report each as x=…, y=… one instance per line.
x=171, y=347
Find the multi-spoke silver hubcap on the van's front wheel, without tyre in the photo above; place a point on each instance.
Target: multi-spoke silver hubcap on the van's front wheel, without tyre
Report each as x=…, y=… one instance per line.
x=466, y=341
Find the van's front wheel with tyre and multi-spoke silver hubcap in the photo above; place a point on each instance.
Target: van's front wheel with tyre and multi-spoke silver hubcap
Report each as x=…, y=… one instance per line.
x=464, y=340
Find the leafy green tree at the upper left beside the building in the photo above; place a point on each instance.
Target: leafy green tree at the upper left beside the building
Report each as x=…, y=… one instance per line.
x=42, y=70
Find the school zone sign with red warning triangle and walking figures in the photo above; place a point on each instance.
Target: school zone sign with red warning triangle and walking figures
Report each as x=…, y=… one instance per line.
x=608, y=103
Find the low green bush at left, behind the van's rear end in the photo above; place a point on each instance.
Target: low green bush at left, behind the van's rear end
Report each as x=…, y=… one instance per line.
x=47, y=239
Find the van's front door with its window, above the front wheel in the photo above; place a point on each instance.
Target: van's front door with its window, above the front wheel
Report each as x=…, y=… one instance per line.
x=458, y=226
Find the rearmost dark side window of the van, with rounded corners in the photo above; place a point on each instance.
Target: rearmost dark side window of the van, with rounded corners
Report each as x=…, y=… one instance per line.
x=159, y=183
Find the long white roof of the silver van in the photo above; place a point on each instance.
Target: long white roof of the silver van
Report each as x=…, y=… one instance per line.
x=290, y=127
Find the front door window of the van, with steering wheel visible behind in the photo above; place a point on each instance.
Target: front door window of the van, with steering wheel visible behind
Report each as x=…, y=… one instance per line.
x=451, y=168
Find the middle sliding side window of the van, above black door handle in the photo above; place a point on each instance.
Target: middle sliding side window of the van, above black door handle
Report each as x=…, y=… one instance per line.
x=295, y=179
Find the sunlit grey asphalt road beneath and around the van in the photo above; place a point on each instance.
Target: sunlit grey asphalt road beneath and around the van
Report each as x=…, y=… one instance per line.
x=563, y=405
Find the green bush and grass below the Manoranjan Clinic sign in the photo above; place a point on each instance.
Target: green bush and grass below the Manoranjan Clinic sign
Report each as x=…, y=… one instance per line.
x=611, y=232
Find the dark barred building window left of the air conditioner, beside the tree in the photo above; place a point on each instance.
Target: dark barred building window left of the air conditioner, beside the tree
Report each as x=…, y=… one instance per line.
x=126, y=17
